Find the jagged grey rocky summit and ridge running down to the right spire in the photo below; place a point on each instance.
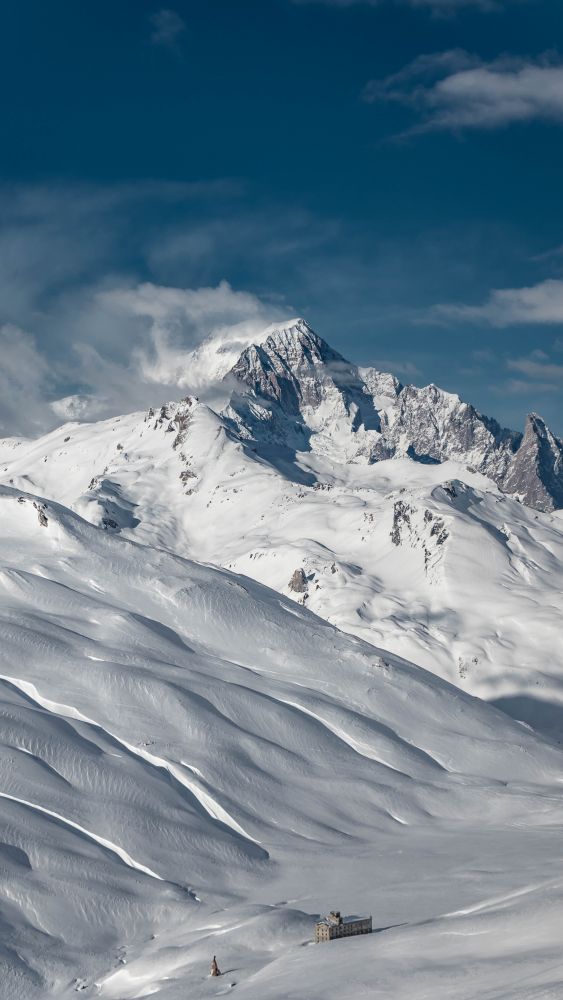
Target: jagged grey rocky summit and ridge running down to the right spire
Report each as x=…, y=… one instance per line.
x=297, y=391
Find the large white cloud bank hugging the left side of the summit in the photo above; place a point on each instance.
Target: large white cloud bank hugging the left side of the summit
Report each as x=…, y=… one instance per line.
x=158, y=343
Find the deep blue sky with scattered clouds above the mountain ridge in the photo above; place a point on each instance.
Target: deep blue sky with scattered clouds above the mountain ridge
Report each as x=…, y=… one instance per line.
x=389, y=170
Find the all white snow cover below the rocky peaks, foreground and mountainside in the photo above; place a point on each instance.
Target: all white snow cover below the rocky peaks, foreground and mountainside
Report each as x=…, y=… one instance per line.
x=196, y=761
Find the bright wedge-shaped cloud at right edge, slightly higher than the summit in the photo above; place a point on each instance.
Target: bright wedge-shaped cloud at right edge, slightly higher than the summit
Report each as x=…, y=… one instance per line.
x=537, y=304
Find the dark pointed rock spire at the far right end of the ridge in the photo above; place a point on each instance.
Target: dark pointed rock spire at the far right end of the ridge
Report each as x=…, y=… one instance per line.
x=536, y=473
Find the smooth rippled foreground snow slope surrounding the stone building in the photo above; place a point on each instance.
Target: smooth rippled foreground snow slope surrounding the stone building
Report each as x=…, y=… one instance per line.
x=183, y=751
